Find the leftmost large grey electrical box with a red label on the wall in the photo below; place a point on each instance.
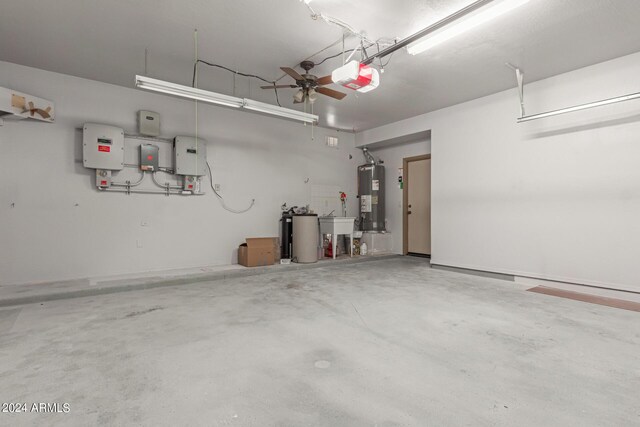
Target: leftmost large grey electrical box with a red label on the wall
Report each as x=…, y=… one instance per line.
x=102, y=147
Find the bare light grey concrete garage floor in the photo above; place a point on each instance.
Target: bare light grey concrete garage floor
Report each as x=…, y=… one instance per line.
x=384, y=343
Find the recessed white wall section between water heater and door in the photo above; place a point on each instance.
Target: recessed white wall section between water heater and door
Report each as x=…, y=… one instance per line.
x=393, y=156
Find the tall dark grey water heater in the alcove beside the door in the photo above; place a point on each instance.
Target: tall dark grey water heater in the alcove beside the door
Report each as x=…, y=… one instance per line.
x=371, y=195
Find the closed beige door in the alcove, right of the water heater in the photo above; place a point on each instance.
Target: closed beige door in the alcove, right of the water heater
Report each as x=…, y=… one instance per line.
x=419, y=207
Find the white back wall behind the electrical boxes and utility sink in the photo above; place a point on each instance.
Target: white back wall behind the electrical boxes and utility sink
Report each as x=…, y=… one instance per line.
x=61, y=227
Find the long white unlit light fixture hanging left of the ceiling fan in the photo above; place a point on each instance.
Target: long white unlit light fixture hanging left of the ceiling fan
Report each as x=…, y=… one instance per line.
x=188, y=92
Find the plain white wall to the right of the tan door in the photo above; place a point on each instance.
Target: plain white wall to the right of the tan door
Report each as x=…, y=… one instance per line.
x=556, y=199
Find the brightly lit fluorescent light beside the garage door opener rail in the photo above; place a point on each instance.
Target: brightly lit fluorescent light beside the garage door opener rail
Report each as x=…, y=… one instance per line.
x=464, y=24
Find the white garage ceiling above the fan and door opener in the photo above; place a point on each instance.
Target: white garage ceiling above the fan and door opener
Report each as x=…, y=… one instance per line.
x=106, y=41
